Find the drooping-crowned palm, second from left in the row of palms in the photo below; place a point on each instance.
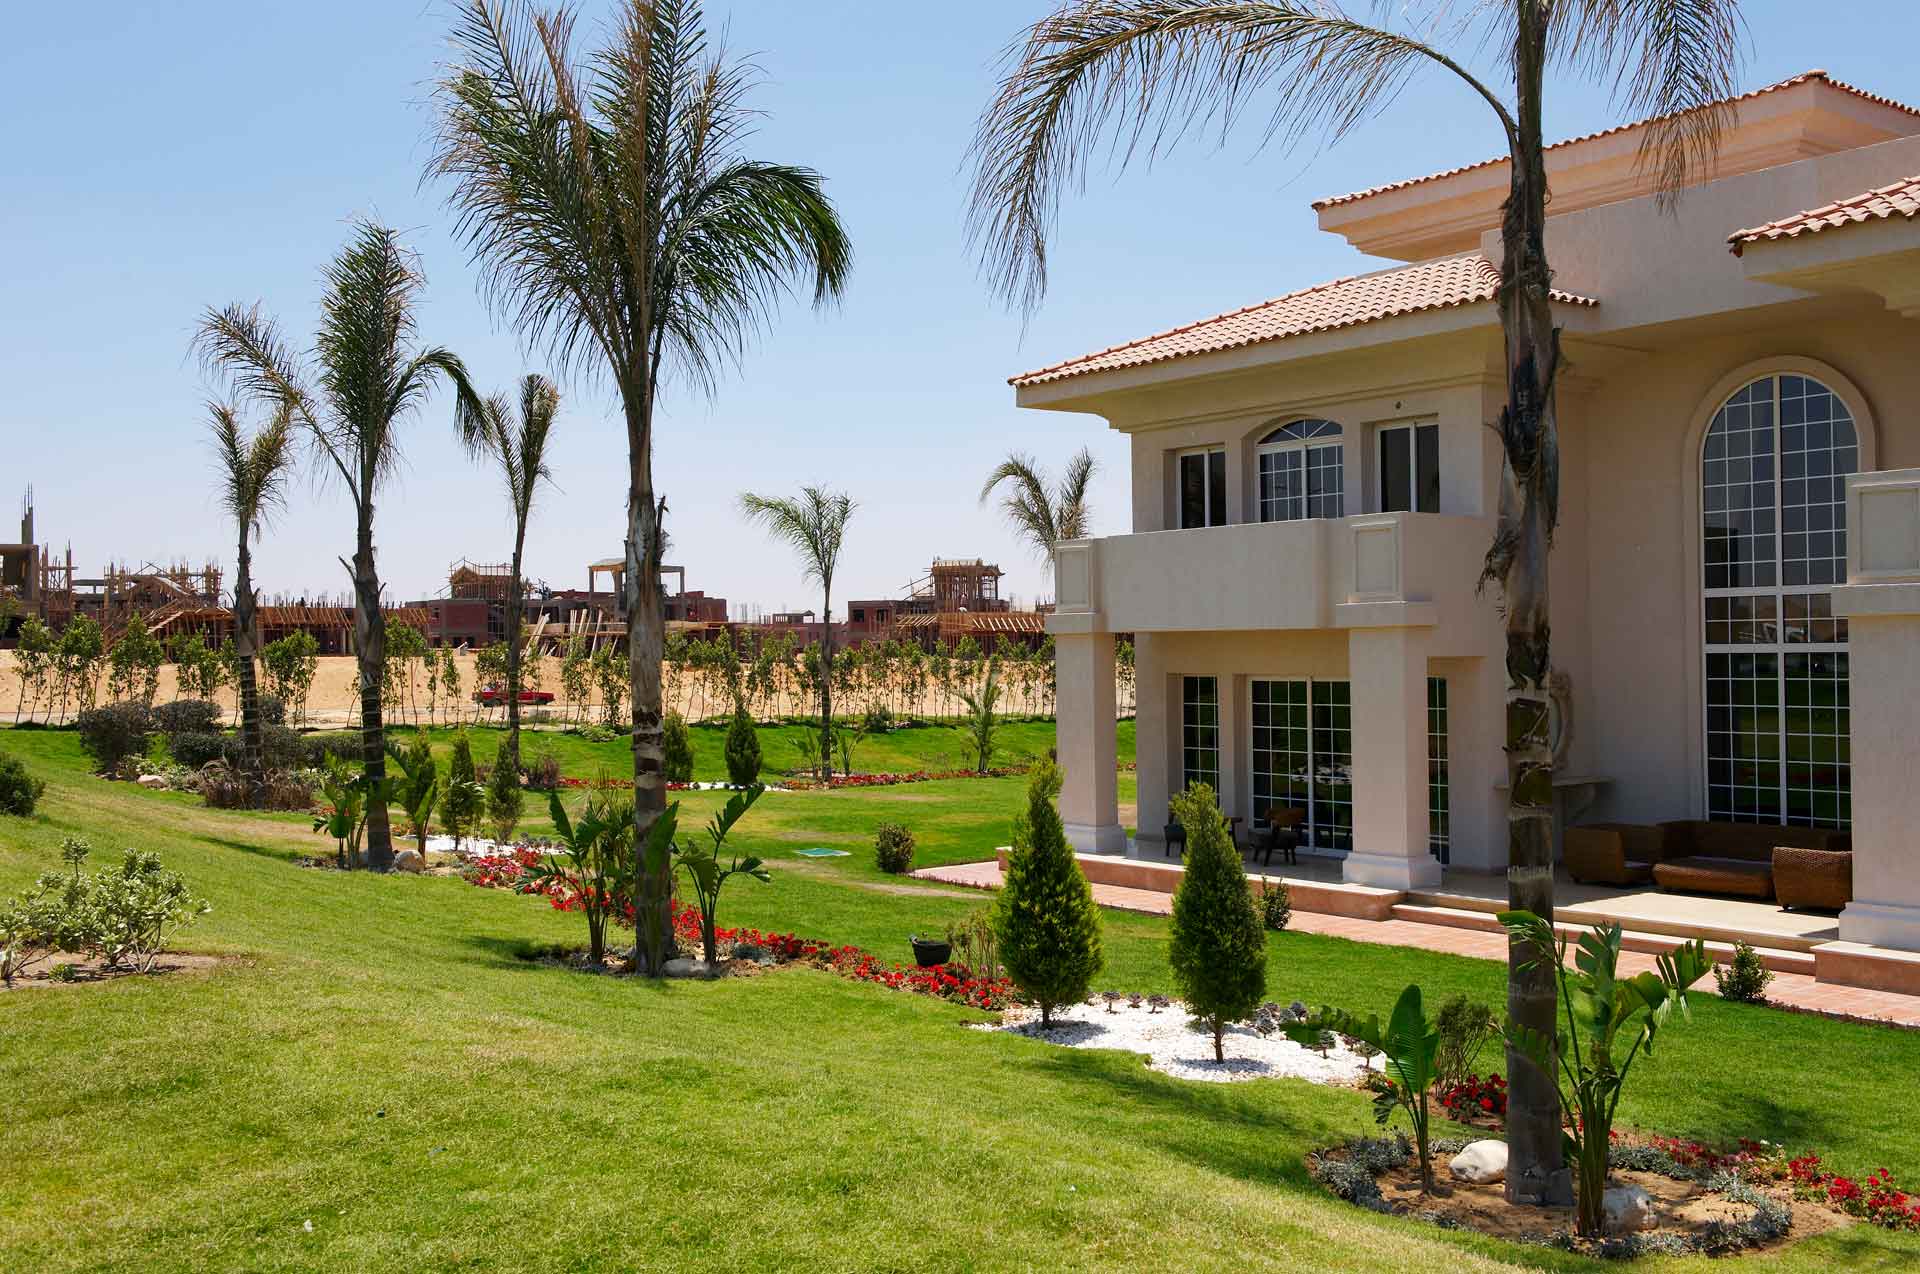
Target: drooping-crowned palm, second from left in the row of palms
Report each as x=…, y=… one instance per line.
x=350, y=396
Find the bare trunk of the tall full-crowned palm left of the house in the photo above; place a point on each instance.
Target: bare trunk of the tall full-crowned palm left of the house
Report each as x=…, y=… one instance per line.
x=646, y=646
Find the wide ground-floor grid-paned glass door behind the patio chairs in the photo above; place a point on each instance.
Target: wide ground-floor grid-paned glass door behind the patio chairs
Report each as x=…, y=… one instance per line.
x=1303, y=757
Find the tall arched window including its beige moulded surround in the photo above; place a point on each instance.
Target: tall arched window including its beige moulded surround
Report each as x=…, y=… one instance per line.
x=1769, y=644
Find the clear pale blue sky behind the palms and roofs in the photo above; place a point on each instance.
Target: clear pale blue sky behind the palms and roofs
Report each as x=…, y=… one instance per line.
x=164, y=158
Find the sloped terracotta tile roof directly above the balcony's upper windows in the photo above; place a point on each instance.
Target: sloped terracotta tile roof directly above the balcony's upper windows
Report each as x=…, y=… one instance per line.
x=1326, y=308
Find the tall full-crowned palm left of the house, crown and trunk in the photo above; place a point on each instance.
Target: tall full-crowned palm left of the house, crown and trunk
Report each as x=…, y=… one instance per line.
x=619, y=225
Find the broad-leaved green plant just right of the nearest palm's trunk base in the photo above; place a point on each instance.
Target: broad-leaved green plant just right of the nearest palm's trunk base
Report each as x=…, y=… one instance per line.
x=1608, y=1024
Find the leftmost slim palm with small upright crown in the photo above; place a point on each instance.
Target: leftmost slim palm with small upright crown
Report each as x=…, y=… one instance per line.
x=254, y=471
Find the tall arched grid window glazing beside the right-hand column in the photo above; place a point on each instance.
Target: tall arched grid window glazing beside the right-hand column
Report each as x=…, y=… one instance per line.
x=1775, y=540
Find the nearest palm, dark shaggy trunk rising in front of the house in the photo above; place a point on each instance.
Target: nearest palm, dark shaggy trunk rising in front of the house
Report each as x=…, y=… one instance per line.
x=1159, y=70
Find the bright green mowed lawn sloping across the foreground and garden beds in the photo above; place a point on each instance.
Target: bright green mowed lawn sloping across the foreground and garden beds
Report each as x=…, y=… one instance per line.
x=379, y=1060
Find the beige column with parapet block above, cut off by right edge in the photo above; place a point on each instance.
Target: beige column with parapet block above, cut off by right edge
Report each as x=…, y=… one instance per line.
x=1883, y=607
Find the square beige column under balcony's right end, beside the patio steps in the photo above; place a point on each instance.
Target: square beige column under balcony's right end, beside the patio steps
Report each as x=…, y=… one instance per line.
x=1389, y=676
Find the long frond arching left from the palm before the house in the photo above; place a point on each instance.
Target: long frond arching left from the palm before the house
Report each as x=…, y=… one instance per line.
x=1149, y=74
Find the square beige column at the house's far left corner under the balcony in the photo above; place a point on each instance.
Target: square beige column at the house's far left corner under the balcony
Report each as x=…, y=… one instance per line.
x=1088, y=717
